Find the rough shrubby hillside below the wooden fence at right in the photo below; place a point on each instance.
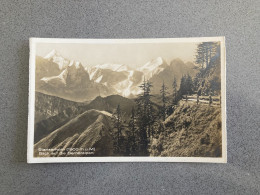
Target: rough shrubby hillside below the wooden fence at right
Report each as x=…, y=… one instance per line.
x=192, y=130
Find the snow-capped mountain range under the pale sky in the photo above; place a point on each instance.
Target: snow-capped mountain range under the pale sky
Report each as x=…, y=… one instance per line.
x=68, y=79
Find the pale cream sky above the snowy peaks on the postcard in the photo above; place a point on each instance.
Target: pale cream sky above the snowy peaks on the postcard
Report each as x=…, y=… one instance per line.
x=131, y=54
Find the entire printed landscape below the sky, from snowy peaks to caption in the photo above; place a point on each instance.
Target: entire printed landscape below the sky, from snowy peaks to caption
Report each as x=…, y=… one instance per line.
x=157, y=109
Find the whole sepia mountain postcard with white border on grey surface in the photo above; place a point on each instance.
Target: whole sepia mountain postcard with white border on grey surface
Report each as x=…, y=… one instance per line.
x=127, y=100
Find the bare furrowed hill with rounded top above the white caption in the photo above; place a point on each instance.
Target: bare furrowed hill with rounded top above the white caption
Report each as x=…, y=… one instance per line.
x=90, y=129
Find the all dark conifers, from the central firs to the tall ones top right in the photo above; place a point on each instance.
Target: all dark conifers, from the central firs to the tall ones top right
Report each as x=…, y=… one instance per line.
x=132, y=138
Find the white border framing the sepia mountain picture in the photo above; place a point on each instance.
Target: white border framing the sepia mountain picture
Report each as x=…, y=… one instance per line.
x=31, y=104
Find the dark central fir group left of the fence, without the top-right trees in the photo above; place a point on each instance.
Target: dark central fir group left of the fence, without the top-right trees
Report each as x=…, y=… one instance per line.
x=146, y=121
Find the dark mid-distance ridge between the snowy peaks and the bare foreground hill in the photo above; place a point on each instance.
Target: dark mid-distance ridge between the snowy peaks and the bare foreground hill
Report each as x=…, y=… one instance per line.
x=52, y=112
